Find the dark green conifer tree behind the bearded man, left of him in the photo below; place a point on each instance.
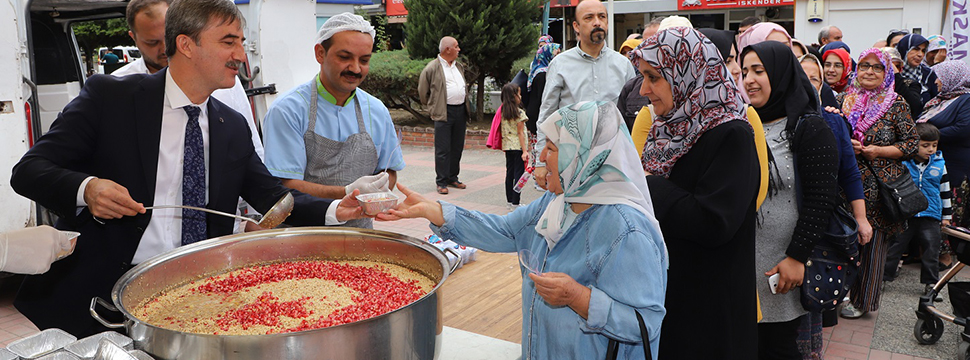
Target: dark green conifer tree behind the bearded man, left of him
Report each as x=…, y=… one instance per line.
x=492, y=34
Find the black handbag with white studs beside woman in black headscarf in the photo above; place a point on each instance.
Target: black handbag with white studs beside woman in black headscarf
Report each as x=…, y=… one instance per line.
x=833, y=265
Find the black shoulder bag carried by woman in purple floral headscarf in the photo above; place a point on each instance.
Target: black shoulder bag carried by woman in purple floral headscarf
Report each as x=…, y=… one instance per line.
x=900, y=198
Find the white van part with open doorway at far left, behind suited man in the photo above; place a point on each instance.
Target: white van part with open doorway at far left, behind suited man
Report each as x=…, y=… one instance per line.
x=43, y=71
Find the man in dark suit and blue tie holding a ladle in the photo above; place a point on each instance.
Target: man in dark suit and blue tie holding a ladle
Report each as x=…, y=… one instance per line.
x=167, y=142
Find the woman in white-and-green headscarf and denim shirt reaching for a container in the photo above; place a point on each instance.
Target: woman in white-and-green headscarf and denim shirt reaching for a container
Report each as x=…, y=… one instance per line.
x=600, y=254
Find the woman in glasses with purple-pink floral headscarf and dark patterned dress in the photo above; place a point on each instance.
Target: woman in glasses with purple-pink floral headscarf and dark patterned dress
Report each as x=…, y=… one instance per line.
x=883, y=133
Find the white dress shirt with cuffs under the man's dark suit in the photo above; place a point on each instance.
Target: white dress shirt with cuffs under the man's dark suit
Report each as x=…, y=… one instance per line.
x=164, y=231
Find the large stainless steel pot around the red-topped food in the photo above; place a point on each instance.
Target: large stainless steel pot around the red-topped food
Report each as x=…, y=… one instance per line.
x=411, y=332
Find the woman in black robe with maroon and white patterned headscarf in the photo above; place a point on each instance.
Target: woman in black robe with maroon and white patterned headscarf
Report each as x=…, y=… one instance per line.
x=704, y=177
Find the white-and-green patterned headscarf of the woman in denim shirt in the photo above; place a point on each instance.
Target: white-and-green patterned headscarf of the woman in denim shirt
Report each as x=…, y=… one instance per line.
x=598, y=164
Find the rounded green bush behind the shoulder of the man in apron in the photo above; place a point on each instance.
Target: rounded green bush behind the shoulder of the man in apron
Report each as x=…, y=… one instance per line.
x=393, y=78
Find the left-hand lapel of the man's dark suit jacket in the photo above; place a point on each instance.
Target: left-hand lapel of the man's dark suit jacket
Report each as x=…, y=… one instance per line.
x=149, y=104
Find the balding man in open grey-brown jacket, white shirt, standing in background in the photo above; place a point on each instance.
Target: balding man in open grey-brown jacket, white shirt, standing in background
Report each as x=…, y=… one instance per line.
x=442, y=89
